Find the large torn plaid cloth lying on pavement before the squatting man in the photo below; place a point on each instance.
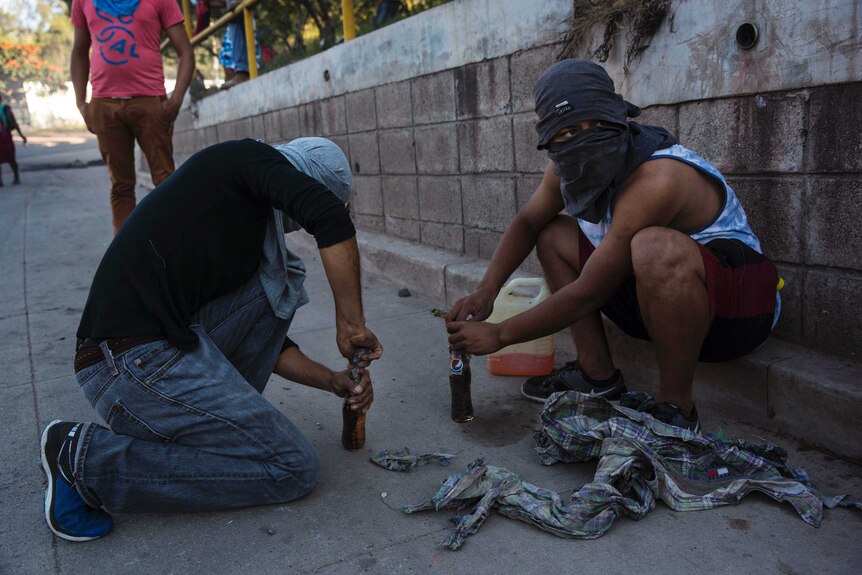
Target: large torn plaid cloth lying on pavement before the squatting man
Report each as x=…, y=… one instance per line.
x=640, y=460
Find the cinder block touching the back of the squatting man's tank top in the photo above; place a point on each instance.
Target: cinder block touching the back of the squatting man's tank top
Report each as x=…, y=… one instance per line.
x=774, y=208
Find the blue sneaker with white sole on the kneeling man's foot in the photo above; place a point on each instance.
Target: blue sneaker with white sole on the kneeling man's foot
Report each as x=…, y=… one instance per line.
x=66, y=512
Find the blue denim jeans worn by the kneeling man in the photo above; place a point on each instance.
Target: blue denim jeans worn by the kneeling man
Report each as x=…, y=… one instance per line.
x=189, y=430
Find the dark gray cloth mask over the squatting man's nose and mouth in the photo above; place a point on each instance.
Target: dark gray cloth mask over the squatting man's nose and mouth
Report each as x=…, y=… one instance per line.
x=587, y=166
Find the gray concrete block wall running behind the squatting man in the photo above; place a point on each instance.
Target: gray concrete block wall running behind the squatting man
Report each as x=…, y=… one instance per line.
x=445, y=155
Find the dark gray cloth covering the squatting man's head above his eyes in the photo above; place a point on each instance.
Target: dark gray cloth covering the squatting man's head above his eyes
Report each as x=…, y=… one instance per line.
x=574, y=90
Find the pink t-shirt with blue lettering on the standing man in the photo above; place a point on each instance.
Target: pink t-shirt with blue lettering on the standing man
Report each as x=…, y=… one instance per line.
x=125, y=59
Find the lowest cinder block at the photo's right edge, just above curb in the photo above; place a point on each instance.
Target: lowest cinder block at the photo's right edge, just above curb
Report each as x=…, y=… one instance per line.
x=831, y=320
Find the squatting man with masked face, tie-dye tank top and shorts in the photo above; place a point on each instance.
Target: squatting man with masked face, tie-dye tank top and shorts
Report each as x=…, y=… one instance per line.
x=653, y=237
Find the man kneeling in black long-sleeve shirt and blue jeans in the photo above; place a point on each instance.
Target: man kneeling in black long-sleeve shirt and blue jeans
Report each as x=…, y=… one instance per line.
x=186, y=320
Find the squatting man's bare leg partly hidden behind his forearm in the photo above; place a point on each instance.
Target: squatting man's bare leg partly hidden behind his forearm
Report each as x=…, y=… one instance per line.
x=558, y=249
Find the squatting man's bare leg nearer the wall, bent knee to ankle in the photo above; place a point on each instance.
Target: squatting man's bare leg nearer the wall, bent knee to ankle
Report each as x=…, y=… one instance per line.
x=674, y=303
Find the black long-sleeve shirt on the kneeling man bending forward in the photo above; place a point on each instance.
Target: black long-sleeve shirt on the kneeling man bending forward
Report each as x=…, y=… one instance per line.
x=200, y=235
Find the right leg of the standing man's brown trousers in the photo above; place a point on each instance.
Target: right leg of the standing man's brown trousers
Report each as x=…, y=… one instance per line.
x=154, y=134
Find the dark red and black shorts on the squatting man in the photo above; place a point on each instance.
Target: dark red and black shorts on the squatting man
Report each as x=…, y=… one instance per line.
x=741, y=285
